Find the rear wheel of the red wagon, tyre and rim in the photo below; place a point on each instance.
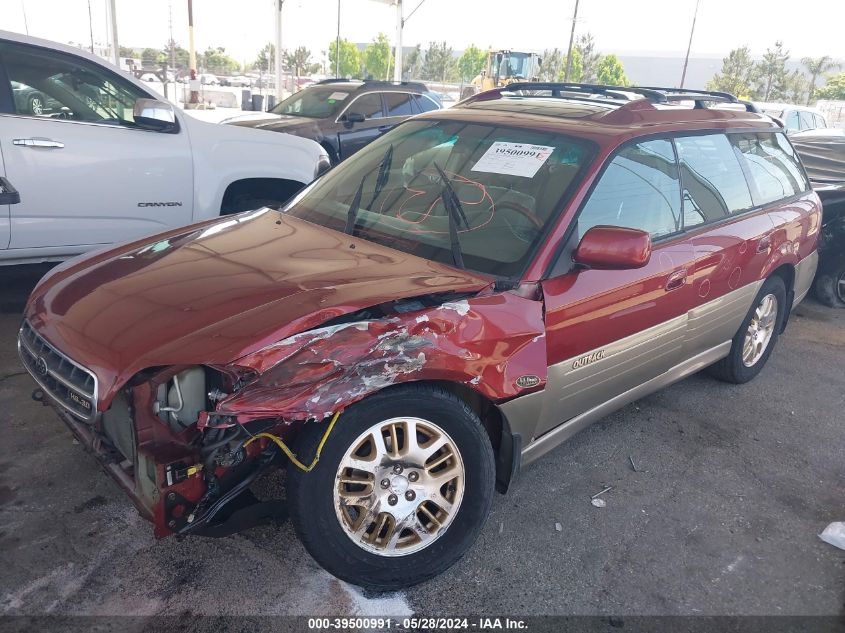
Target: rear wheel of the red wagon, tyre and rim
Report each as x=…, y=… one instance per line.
x=756, y=337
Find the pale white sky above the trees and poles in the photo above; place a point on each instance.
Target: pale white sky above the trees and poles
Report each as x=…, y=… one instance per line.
x=807, y=28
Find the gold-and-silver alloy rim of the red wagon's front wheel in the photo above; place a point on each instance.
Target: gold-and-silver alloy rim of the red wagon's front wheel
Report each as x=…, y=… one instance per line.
x=399, y=486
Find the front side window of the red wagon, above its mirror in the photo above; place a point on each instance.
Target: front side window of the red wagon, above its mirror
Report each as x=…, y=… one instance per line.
x=639, y=190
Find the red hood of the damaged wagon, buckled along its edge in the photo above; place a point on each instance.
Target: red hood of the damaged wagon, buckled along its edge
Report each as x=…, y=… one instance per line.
x=217, y=291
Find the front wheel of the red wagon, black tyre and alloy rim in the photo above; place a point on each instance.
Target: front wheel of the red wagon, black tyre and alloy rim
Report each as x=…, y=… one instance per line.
x=401, y=491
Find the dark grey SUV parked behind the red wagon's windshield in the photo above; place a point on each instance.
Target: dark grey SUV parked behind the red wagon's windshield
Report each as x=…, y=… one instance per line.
x=344, y=116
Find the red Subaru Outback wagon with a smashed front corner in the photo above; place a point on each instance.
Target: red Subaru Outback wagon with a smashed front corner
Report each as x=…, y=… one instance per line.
x=440, y=309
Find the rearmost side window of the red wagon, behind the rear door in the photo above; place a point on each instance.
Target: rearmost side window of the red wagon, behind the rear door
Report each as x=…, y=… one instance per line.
x=773, y=168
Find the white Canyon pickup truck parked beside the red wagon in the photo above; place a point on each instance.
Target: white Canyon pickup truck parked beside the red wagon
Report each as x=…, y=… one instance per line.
x=97, y=158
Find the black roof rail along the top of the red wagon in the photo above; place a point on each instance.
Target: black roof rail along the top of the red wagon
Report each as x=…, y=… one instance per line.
x=651, y=93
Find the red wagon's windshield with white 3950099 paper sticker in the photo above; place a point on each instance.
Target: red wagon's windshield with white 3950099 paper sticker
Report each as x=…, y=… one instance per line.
x=466, y=194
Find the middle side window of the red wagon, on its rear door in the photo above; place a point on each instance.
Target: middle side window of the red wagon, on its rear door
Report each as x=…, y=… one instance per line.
x=712, y=180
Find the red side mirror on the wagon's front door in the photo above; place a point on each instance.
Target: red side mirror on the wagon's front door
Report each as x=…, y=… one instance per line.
x=613, y=248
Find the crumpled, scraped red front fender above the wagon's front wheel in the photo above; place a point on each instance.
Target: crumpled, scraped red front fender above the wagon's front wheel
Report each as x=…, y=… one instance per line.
x=478, y=346
